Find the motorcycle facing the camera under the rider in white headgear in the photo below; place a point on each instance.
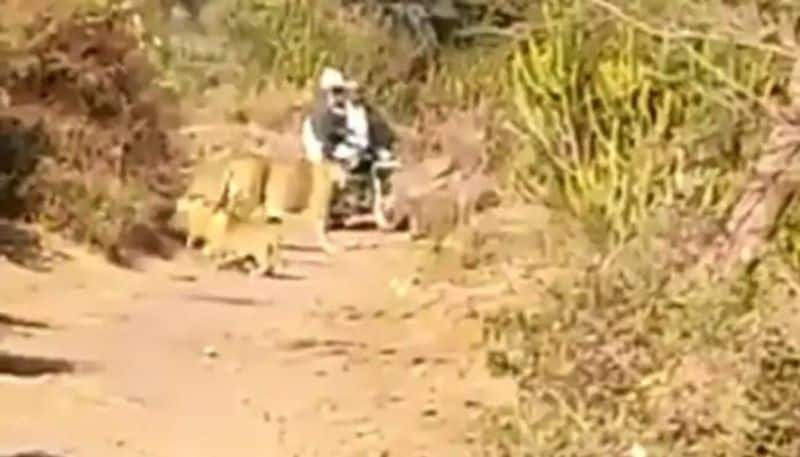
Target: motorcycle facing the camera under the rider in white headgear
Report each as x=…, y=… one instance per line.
x=366, y=191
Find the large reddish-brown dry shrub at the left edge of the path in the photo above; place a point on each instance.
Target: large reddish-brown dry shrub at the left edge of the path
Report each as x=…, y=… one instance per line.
x=84, y=83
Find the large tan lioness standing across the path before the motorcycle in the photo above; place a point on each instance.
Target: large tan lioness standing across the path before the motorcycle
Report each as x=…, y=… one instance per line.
x=240, y=183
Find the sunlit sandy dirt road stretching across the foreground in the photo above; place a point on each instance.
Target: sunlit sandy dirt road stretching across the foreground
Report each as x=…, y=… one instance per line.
x=177, y=360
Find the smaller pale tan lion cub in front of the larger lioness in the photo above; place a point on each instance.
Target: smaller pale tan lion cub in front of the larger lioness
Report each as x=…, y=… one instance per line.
x=231, y=239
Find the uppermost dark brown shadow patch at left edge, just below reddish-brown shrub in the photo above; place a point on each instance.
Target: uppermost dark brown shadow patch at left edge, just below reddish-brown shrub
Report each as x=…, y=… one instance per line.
x=23, y=247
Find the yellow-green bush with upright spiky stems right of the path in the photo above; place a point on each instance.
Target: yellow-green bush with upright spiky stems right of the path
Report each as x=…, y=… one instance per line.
x=619, y=119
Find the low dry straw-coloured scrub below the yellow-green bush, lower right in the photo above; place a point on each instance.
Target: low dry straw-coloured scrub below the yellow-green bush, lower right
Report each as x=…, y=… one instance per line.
x=630, y=347
